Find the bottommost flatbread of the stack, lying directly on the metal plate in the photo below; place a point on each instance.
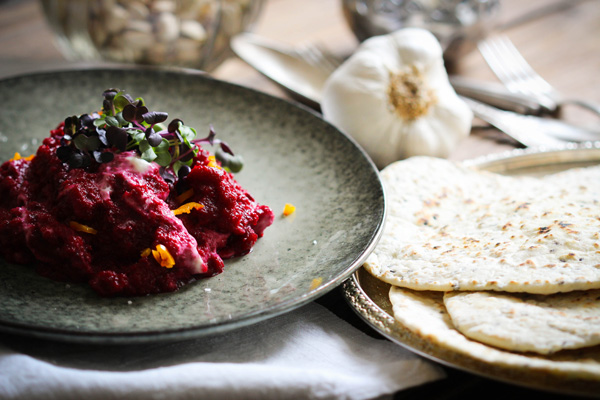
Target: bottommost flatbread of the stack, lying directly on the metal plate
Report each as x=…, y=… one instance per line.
x=424, y=314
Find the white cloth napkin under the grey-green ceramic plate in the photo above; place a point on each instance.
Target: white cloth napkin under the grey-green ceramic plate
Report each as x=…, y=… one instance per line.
x=306, y=354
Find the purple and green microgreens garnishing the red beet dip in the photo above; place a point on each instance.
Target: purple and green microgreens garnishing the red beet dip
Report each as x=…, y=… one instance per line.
x=126, y=124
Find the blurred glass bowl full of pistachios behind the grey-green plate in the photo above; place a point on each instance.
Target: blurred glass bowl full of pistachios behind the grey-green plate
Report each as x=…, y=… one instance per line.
x=183, y=33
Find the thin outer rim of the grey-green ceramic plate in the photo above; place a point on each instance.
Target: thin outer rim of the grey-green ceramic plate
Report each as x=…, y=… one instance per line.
x=184, y=333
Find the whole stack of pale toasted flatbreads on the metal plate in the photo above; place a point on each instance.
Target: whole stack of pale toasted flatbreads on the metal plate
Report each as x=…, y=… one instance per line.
x=504, y=269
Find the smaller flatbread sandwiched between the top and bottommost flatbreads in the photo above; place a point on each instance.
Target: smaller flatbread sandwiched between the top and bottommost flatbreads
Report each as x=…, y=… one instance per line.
x=526, y=322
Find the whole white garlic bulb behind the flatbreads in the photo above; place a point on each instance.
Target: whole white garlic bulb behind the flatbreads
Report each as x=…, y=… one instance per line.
x=394, y=98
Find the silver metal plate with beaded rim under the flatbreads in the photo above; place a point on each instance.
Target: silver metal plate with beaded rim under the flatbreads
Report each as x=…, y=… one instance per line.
x=370, y=297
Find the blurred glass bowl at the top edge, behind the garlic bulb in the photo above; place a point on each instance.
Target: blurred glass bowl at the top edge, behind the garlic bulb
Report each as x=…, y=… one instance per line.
x=457, y=24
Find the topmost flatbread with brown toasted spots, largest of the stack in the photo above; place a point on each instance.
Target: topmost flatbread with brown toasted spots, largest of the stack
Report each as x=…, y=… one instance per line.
x=450, y=227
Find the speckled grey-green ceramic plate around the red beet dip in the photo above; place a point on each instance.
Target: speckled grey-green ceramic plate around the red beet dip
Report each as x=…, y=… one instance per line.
x=291, y=156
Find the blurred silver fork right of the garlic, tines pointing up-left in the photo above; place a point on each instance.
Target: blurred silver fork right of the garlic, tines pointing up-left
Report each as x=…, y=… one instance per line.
x=518, y=76
